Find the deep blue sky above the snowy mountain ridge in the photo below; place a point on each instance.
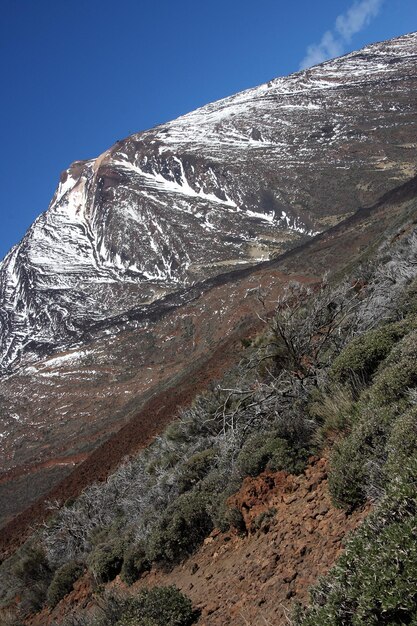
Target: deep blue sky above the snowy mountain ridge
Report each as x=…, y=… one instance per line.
x=77, y=75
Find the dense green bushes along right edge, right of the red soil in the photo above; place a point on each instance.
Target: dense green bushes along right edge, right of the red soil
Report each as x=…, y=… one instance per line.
x=374, y=581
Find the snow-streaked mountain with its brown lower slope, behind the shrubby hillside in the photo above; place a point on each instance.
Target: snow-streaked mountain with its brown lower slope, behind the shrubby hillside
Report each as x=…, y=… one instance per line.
x=134, y=289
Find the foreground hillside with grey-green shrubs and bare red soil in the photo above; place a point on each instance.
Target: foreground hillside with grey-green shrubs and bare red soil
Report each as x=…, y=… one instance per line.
x=228, y=503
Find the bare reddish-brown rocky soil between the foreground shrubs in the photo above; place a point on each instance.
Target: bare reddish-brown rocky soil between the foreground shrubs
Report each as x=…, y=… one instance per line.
x=294, y=535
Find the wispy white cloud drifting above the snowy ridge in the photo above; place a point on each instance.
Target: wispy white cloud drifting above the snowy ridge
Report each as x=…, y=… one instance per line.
x=333, y=43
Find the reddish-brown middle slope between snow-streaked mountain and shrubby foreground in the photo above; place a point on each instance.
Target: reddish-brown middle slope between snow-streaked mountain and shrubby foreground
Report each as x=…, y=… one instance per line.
x=97, y=396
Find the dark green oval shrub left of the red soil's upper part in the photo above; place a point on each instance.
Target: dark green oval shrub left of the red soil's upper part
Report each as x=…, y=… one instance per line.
x=181, y=528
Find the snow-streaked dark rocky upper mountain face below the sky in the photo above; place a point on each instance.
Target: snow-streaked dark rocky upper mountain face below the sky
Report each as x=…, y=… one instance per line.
x=232, y=183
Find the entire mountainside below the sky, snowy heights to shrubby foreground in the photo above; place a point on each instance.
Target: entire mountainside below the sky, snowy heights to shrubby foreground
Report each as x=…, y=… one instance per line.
x=208, y=367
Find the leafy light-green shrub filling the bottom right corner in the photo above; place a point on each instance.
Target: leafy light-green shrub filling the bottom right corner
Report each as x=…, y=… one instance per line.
x=374, y=582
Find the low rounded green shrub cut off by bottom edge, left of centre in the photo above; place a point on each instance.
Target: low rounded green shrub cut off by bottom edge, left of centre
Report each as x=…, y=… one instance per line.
x=159, y=606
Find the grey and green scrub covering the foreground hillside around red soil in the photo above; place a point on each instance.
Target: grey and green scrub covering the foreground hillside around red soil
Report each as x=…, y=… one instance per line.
x=337, y=368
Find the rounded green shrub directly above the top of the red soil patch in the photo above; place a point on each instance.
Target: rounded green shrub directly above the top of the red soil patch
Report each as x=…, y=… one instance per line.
x=267, y=451
